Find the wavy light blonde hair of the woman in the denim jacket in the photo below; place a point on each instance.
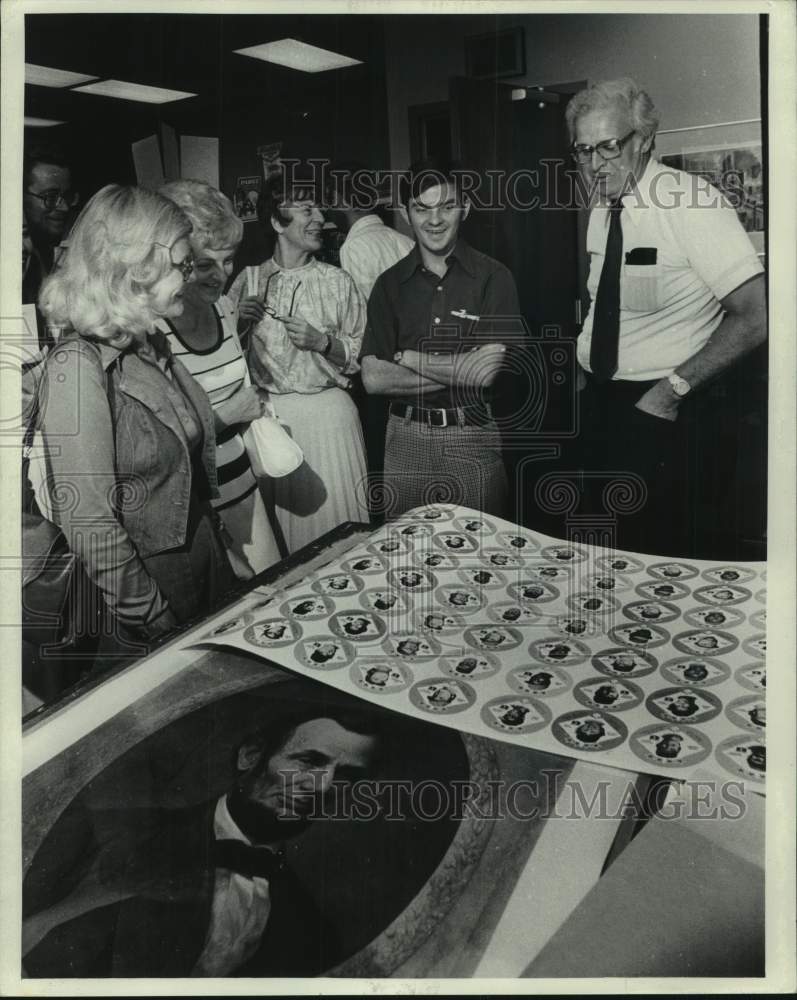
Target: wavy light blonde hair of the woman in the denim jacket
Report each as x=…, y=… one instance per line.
x=118, y=250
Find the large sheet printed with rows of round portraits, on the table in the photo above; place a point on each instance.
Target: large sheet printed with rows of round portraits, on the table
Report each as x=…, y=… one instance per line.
x=643, y=663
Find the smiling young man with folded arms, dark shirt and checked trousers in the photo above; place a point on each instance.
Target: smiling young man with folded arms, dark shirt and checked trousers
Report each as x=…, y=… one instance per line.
x=436, y=340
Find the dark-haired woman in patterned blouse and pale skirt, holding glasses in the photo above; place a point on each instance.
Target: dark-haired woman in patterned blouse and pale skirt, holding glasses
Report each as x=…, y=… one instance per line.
x=306, y=320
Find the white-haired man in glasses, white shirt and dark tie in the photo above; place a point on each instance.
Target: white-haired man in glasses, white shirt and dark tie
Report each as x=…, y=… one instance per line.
x=677, y=298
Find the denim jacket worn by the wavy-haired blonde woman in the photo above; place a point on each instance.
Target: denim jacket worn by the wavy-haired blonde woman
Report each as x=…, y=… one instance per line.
x=120, y=473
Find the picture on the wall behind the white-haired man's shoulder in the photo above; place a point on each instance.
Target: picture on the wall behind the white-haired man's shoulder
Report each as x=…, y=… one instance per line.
x=729, y=156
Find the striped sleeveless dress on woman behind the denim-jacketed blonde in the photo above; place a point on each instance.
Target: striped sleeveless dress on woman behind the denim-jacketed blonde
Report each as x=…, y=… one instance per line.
x=220, y=370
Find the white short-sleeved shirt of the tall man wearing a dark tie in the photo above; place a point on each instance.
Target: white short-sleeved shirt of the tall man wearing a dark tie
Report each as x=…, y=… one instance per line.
x=684, y=250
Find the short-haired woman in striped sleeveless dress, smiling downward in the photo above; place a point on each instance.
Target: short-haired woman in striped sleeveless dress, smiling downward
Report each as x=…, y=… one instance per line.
x=203, y=337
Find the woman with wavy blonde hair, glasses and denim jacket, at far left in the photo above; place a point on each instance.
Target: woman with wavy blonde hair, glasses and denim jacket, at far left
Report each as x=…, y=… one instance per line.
x=128, y=434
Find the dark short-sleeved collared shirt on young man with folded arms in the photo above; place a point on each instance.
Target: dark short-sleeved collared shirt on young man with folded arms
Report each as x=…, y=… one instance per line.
x=411, y=308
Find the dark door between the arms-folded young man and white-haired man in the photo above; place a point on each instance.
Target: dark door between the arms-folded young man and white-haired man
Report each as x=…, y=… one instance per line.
x=527, y=220
